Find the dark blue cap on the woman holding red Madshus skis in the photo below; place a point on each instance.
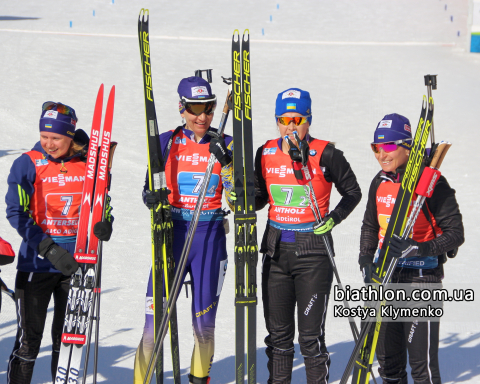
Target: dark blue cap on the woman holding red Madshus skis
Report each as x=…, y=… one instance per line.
x=52, y=120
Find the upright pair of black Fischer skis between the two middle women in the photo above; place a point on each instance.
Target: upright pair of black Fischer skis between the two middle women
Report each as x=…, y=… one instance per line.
x=246, y=248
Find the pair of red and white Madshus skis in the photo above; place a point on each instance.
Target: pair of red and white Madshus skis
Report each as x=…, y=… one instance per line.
x=82, y=284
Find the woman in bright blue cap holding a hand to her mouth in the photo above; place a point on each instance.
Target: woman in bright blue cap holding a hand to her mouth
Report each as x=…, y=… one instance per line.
x=296, y=269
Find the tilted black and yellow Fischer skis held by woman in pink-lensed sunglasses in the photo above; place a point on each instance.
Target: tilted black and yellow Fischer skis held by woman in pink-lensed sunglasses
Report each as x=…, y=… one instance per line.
x=363, y=354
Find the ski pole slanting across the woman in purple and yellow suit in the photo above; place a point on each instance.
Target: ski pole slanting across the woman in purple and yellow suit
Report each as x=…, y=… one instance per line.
x=186, y=248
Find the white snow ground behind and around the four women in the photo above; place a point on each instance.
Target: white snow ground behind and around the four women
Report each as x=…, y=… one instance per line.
x=359, y=59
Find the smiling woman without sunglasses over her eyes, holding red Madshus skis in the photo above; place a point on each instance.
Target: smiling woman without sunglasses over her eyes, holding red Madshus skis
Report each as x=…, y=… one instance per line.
x=44, y=192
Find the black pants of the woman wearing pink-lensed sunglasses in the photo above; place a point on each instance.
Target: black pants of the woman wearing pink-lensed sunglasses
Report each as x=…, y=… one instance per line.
x=419, y=338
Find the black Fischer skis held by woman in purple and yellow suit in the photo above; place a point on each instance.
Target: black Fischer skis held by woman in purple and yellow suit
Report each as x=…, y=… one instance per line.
x=161, y=220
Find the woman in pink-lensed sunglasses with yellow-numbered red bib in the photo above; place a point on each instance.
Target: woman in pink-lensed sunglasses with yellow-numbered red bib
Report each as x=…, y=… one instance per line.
x=438, y=230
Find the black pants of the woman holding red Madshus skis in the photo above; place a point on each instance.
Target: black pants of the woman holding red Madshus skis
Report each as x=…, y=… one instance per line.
x=32, y=296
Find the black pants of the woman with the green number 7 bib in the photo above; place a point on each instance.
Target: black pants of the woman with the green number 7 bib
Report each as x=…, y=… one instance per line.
x=289, y=280
